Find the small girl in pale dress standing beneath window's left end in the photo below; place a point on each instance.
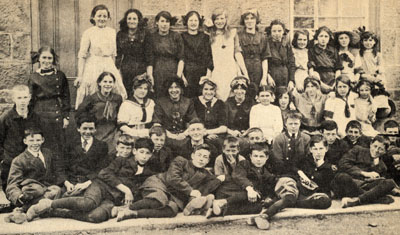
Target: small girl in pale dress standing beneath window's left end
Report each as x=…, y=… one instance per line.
x=300, y=51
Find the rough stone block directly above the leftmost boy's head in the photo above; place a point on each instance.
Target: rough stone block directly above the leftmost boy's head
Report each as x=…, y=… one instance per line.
x=14, y=73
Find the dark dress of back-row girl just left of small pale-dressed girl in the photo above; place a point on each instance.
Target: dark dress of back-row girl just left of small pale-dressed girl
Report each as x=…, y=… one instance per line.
x=281, y=65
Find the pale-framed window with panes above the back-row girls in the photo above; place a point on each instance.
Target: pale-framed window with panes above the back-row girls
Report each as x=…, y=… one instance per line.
x=336, y=14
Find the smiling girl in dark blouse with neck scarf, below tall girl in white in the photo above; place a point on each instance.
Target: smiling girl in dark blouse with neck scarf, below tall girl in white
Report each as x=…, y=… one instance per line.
x=104, y=106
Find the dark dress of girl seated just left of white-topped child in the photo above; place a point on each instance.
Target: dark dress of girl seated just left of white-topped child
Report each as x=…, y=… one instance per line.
x=238, y=115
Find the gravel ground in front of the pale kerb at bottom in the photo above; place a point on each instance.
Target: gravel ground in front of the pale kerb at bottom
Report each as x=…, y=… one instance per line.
x=364, y=223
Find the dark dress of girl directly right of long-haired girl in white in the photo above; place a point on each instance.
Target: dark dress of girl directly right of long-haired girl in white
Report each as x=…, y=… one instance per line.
x=255, y=50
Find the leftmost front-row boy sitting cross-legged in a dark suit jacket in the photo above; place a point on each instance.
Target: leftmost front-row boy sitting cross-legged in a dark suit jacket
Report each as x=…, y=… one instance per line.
x=33, y=174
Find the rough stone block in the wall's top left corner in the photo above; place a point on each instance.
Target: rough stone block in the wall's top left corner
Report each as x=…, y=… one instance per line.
x=15, y=16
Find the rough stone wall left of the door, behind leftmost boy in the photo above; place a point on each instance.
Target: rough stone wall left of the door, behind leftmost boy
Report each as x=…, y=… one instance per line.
x=15, y=44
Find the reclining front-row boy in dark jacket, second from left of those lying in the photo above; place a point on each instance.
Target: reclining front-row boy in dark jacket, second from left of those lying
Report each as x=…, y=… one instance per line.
x=186, y=182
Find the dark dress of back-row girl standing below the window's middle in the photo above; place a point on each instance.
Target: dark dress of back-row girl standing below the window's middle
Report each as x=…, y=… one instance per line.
x=324, y=61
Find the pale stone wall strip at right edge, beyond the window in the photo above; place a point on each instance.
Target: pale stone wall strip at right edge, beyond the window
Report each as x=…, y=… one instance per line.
x=390, y=43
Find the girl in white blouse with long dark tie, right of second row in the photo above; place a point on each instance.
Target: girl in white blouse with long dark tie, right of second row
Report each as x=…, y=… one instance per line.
x=341, y=107
